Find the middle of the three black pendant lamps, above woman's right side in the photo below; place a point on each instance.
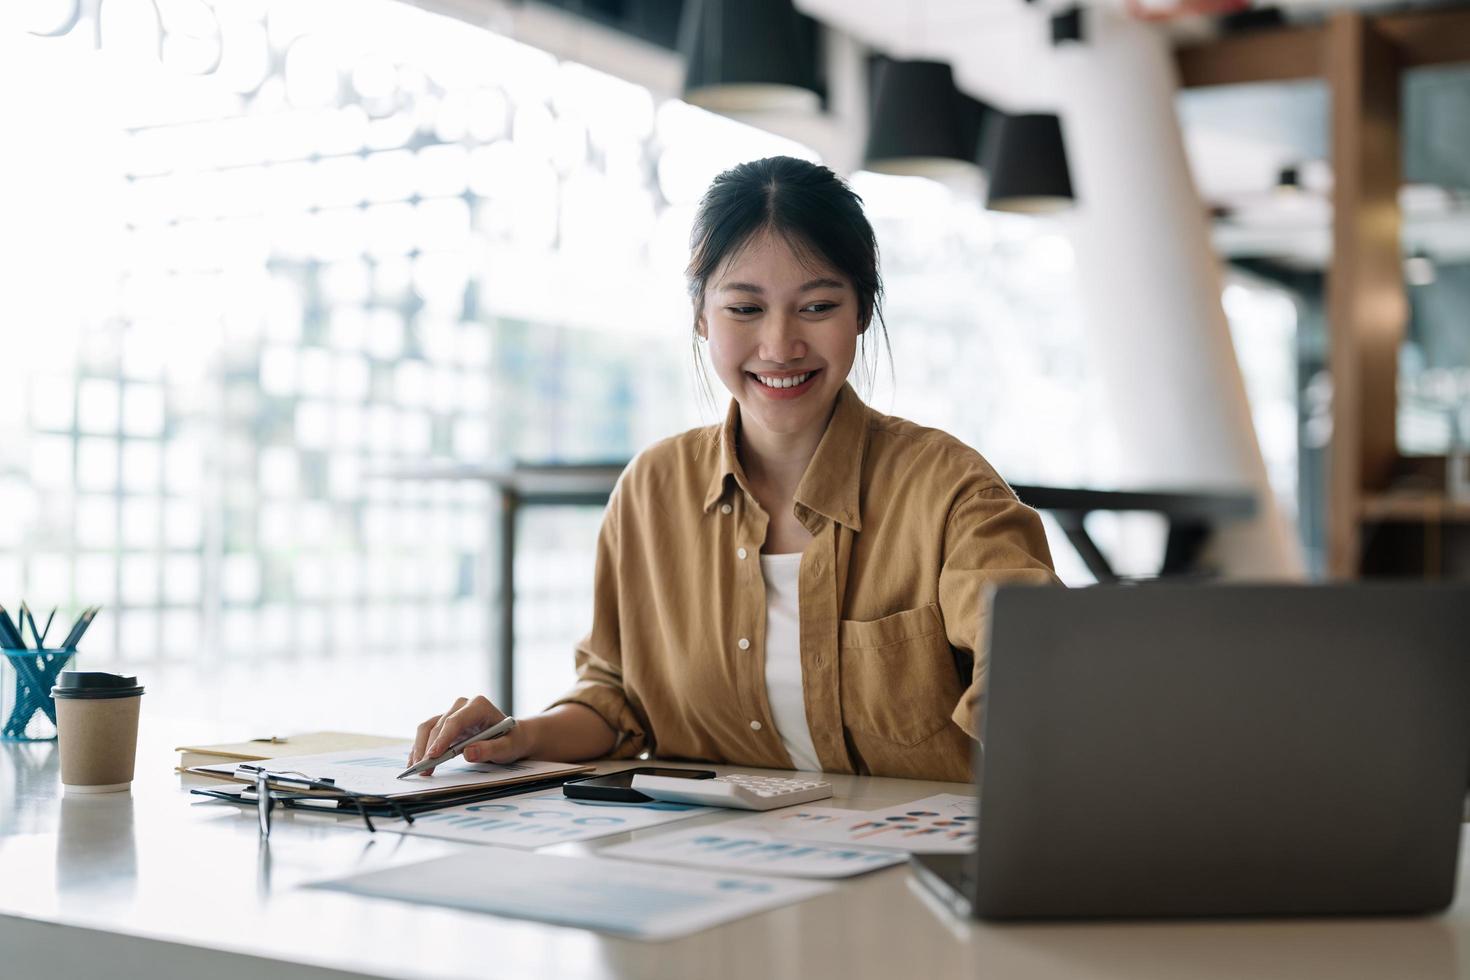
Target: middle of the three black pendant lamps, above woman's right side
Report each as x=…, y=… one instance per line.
x=921, y=124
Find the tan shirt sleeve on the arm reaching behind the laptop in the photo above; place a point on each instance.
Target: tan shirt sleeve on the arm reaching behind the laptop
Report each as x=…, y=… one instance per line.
x=992, y=538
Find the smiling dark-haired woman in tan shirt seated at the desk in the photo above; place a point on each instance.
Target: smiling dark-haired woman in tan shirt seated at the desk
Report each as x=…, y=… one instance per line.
x=802, y=587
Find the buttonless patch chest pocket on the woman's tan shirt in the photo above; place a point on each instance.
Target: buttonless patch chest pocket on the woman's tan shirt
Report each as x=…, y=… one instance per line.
x=899, y=677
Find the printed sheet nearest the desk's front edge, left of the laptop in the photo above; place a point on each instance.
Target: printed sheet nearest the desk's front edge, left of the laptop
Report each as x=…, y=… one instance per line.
x=625, y=898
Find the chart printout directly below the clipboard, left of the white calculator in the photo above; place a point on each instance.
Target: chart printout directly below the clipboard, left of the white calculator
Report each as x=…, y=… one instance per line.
x=542, y=819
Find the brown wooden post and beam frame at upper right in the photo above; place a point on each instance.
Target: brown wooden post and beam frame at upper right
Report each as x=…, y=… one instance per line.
x=1362, y=60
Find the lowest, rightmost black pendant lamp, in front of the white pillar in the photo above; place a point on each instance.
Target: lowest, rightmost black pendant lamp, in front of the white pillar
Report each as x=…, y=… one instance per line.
x=1028, y=165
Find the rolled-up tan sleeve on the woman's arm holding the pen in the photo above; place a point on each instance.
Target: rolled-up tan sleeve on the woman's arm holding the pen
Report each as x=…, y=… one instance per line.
x=599, y=655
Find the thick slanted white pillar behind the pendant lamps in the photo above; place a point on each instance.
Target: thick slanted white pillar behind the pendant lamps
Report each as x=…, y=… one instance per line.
x=1150, y=289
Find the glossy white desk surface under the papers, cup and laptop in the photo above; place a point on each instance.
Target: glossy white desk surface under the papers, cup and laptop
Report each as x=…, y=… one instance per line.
x=154, y=884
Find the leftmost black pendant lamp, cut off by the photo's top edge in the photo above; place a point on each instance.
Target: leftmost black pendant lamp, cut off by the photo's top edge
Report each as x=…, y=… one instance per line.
x=749, y=57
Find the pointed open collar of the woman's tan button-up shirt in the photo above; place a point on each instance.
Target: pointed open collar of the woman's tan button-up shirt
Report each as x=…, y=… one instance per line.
x=833, y=483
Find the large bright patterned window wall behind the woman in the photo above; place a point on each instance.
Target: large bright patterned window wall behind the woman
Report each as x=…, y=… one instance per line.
x=326, y=243
